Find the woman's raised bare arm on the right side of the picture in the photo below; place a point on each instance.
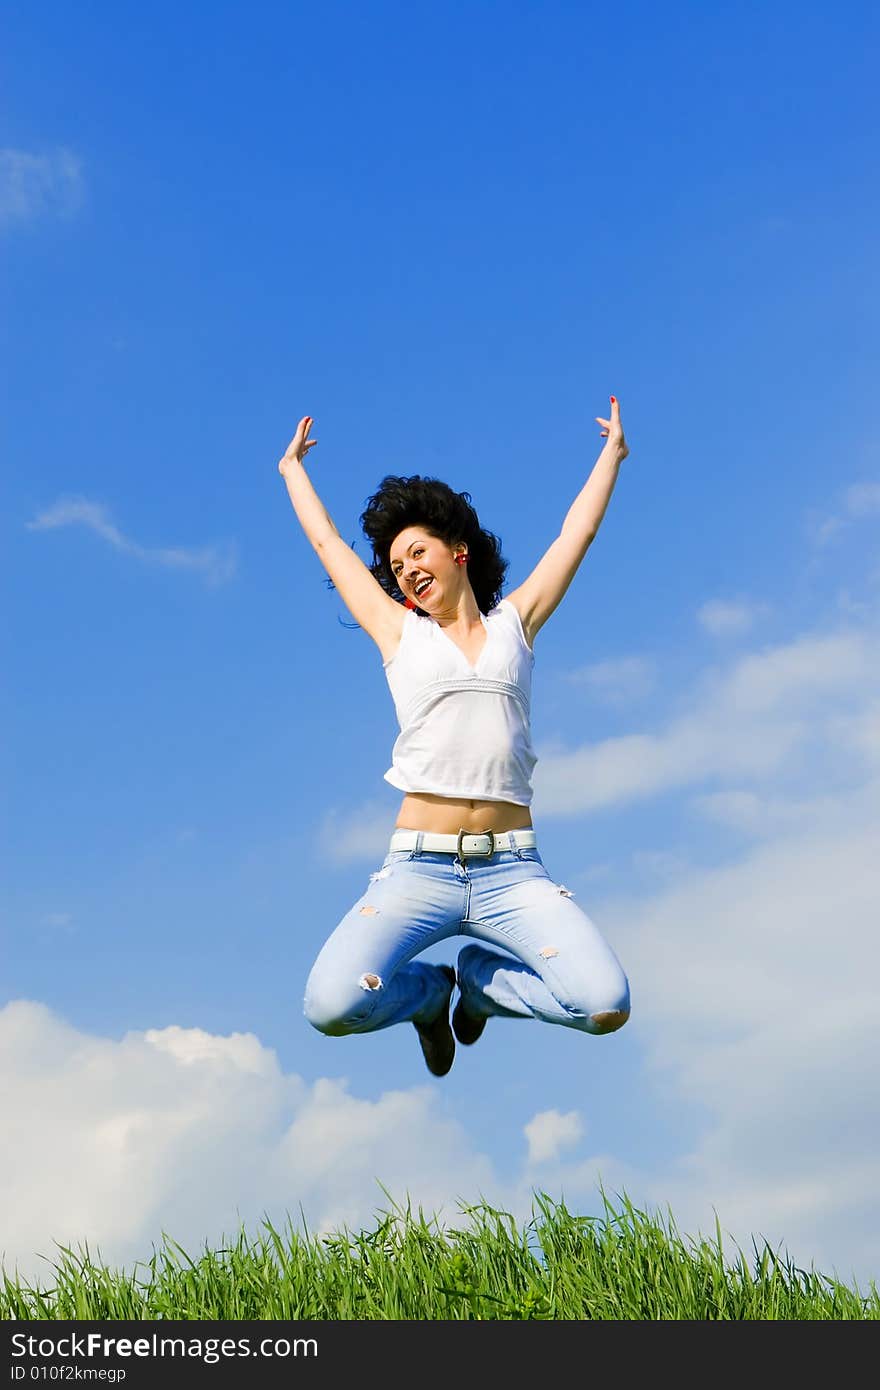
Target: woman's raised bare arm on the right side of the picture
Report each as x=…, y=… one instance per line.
x=544, y=589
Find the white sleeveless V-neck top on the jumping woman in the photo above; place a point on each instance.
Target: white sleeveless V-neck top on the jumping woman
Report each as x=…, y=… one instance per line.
x=465, y=730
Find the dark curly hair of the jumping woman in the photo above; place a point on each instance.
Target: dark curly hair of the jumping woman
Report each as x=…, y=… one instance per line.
x=443, y=514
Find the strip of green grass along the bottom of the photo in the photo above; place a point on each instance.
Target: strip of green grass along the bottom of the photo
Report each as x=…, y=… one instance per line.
x=621, y=1266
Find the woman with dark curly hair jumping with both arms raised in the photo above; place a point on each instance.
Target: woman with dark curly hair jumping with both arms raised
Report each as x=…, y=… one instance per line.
x=464, y=858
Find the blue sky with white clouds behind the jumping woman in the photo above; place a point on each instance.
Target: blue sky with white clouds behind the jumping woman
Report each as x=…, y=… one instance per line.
x=448, y=234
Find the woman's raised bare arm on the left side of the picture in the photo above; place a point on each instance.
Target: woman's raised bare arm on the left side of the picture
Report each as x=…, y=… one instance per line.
x=361, y=591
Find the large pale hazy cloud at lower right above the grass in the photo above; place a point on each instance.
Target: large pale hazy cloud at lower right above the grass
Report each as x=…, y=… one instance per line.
x=758, y=1004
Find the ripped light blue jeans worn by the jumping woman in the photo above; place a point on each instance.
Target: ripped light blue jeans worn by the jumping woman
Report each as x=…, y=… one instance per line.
x=561, y=970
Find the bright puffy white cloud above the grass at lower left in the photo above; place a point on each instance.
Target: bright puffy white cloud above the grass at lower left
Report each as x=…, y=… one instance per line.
x=180, y=1131
